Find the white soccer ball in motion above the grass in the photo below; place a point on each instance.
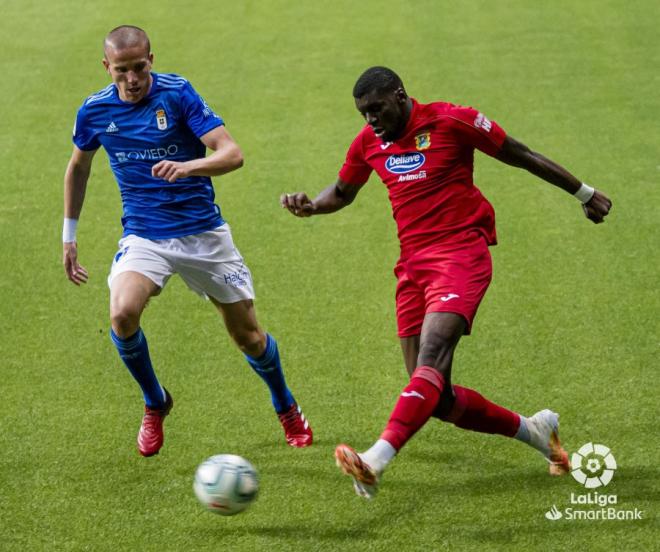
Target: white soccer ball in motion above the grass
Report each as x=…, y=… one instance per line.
x=226, y=484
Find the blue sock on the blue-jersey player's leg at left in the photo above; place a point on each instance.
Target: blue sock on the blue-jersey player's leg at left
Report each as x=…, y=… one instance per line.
x=135, y=353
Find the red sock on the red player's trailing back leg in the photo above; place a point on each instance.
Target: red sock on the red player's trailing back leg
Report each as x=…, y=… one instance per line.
x=474, y=412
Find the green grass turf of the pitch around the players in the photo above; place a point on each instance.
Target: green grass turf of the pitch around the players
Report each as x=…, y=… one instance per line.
x=570, y=321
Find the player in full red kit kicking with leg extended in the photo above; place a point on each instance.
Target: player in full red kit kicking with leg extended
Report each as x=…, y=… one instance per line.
x=424, y=153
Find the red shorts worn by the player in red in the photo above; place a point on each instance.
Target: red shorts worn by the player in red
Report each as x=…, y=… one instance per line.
x=451, y=277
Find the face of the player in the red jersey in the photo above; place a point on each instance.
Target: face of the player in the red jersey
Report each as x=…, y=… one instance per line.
x=386, y=112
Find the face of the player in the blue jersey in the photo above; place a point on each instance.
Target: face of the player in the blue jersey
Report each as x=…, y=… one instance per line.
x=130, y=70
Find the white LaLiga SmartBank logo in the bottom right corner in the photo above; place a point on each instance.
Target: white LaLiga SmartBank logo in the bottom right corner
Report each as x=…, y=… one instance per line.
x=593, y=466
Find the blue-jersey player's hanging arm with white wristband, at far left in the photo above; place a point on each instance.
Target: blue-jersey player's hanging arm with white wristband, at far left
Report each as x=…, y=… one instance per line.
x=75, y=184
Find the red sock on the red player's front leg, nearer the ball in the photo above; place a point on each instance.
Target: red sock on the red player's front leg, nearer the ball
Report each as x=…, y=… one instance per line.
x=414, y=407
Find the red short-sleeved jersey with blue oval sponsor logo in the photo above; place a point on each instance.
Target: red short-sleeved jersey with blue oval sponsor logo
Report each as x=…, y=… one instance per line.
x=428, y=173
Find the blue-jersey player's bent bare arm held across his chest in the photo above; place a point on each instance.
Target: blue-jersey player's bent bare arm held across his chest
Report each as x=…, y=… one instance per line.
x=226, y=156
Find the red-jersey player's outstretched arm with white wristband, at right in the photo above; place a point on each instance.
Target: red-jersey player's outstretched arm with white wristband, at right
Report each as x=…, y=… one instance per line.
x=596, y=205
